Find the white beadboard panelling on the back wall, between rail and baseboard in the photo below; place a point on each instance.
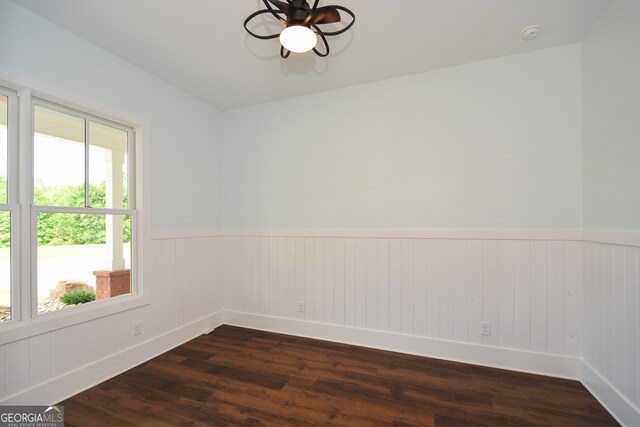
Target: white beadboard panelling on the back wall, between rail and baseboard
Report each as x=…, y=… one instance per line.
x=528, y=290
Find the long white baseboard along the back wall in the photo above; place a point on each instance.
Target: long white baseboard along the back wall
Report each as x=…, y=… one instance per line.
x=515, y=360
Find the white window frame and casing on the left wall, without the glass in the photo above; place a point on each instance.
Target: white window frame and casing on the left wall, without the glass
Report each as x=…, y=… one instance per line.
x=26, y=322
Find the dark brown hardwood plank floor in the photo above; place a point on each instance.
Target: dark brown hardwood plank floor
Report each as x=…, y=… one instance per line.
x=237, y=376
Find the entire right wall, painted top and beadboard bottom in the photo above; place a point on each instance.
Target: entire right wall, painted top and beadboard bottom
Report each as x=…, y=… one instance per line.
x=611, y=174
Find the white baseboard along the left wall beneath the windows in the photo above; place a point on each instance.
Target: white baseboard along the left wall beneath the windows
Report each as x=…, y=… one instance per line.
x=60, y=388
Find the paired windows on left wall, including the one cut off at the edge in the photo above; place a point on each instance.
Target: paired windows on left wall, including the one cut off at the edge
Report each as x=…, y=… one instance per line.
x=68, y=218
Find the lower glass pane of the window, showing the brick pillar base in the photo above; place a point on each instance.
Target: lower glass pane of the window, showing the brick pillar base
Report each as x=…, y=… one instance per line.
x=87, y=252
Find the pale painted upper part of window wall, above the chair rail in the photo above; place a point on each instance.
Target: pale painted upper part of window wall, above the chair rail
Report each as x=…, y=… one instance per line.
x=183, y=130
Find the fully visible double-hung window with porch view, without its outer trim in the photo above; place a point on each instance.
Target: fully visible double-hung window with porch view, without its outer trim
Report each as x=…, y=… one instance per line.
x=82, y=215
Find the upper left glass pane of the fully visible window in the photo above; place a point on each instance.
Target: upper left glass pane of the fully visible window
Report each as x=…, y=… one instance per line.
x=58, y=156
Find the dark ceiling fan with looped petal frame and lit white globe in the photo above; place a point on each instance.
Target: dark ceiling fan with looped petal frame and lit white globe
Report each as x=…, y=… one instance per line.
x=301, y=23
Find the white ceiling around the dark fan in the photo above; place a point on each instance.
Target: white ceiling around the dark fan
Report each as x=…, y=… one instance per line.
x=201, y=47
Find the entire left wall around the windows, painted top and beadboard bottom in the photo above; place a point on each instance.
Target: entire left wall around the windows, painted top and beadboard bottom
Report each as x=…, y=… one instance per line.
x=183, y=133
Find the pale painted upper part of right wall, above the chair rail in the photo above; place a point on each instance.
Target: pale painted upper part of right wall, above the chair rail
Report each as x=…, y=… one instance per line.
x=611, y=129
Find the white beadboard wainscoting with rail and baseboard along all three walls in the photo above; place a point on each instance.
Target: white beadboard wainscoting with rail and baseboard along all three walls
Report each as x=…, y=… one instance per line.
x=426, y=294
